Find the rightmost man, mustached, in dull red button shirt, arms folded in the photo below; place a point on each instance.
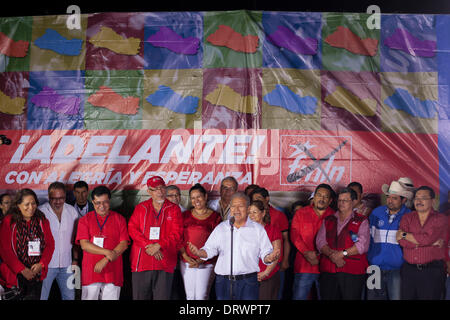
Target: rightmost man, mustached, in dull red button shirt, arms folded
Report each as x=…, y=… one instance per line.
x=423, y=234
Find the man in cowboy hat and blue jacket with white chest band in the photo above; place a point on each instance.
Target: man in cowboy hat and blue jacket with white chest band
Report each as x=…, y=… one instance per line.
x=384, y=250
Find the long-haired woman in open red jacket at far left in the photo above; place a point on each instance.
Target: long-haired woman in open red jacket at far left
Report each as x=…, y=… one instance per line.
x=26, y=245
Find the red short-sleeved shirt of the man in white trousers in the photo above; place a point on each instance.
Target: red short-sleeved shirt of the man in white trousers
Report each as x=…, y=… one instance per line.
x=114, y=231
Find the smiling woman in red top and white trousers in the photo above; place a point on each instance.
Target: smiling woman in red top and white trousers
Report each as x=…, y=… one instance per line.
x=198, y=223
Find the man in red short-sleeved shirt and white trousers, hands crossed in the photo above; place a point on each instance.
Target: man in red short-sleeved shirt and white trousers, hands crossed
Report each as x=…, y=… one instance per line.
x=103, y=237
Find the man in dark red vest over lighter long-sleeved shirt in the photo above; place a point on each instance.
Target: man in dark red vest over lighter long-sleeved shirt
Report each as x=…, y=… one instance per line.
x=343, y=240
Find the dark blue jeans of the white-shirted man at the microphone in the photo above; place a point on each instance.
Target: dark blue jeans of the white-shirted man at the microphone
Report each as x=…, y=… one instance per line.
x=245, y=289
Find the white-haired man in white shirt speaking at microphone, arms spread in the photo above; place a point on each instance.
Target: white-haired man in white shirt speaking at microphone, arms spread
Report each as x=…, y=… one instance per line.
x=250, y=243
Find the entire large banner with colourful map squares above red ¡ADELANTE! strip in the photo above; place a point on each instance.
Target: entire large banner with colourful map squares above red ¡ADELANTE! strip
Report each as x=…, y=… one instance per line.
x=286, y=100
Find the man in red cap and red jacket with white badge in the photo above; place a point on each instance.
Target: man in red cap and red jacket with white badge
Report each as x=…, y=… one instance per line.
x=156, y=227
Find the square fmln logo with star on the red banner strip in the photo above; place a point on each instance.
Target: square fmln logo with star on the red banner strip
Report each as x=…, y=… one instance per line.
x=311, y=160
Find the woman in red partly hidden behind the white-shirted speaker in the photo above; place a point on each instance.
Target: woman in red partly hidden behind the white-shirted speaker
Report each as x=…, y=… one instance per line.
x=268, y=275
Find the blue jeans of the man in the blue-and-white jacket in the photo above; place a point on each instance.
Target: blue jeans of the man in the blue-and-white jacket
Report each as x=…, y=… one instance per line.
x=390, y=286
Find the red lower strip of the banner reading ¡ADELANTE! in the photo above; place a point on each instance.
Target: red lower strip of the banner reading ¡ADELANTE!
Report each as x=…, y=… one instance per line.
x=285, y=160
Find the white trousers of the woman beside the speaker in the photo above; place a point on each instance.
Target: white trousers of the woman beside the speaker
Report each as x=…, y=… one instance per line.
x=197, y=281
